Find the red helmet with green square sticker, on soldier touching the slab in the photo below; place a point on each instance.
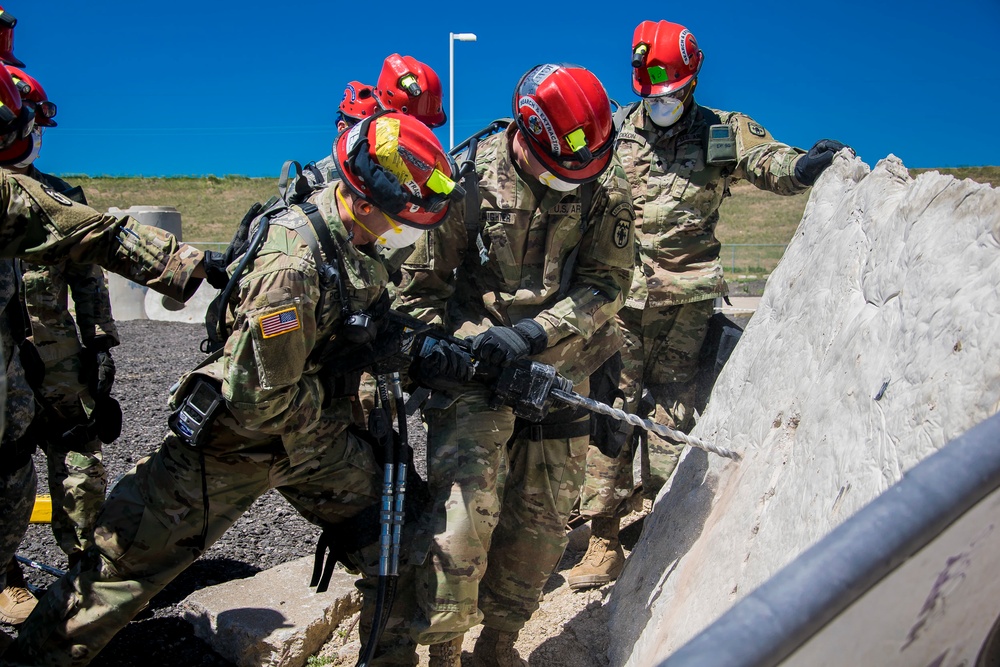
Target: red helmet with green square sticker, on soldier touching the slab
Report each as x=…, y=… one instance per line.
x=665, y=58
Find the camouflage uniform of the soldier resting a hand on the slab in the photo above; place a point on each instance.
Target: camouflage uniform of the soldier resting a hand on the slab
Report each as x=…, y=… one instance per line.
x=677, y=198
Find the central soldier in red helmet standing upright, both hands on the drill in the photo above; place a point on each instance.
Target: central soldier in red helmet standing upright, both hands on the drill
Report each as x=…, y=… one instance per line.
x=538, y=271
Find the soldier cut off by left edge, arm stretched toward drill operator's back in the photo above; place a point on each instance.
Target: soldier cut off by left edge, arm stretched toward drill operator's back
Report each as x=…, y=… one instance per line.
x=42, y=225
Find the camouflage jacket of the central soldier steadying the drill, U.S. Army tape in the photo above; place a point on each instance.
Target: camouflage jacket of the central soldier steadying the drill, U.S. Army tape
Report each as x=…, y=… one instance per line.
x=530, y=257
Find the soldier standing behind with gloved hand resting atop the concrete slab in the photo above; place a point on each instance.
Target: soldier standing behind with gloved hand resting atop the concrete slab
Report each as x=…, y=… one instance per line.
x=680, y=158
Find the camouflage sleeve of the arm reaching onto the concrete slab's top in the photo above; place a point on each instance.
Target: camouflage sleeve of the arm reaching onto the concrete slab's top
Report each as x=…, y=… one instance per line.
x=761, y=160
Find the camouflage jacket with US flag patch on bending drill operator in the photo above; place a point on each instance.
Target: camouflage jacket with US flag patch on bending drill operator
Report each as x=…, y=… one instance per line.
x=287, y=313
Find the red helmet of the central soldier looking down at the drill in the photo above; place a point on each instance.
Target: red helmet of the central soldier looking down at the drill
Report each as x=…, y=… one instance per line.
x=564, y=113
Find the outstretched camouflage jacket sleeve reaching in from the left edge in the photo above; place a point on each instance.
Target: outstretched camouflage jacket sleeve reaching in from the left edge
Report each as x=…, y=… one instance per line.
x=45, y=227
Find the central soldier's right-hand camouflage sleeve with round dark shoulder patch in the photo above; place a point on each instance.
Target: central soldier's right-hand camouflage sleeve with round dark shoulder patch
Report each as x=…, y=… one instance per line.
x=602, y=273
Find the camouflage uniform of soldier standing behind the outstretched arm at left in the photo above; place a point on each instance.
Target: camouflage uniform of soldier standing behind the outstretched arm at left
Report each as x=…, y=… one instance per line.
x=77, y=479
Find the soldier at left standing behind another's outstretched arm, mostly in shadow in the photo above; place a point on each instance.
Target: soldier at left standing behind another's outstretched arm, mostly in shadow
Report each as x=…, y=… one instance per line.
x=66, y=416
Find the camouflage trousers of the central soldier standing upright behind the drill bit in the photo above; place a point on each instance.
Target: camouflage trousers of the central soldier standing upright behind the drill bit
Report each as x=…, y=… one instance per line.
x=491, y=539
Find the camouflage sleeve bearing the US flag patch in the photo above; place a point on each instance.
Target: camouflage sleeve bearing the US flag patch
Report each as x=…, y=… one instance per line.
x=265, y=381
